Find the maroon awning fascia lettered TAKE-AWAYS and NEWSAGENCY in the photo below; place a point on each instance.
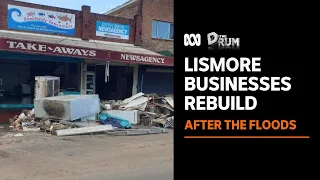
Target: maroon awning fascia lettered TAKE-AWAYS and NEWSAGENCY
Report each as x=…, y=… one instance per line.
x=80, y=52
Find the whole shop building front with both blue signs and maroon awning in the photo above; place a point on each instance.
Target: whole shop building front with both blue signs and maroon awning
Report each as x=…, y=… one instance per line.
x=91, y=53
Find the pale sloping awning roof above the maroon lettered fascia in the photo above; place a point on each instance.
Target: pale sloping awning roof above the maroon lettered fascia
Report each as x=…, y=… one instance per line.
x=68, y=41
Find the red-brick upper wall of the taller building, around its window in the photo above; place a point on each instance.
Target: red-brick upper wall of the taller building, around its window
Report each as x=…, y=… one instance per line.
x=161, y=10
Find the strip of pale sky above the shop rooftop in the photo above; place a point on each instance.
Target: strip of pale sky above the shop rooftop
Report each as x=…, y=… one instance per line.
x=97, y=6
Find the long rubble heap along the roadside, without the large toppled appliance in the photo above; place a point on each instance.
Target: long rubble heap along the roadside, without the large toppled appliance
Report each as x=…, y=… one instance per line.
x=155, y=112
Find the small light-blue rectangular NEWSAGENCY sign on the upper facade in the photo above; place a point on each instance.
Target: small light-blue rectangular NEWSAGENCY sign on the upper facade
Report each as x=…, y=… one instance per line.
x=112, y=30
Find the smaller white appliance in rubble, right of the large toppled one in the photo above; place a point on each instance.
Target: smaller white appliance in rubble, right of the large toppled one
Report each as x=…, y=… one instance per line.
x=132, y=116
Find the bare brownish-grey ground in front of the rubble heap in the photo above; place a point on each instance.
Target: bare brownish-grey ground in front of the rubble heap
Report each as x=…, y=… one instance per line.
x=41, y=156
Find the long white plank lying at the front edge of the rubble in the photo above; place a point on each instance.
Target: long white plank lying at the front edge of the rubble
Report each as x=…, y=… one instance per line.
x=84, y=130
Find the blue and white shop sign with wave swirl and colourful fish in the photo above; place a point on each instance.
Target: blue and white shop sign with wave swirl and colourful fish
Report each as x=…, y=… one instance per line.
x=38, y=20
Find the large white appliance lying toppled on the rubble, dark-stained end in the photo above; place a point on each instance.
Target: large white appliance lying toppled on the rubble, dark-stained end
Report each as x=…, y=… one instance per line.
x=67, y=107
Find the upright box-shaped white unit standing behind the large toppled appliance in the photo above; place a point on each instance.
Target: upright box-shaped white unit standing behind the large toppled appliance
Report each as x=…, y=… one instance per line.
x=46, y=86
